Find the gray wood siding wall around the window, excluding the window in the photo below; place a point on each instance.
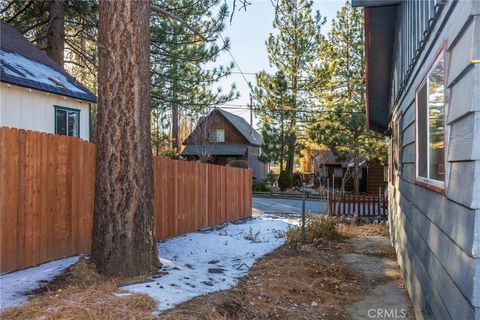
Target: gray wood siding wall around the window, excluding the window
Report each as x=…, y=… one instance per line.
x=437, y=235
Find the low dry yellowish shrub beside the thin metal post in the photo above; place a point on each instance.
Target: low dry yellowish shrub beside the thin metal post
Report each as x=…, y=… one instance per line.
x=315, y=228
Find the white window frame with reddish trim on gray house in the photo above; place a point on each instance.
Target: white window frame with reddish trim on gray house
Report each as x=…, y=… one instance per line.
x=433, y=184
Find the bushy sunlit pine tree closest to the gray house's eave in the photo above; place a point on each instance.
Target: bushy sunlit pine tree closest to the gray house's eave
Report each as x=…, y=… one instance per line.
x=341, y=125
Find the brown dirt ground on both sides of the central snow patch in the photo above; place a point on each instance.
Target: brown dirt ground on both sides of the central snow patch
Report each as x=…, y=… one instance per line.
x=343, y=279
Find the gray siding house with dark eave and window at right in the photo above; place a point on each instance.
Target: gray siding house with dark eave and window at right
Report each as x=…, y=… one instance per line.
x=423, y=90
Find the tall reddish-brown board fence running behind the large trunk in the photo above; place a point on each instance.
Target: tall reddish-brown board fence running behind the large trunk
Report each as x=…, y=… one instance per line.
x=47, y=194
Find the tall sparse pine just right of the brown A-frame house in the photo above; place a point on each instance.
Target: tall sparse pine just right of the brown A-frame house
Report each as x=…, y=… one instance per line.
x=292, y=51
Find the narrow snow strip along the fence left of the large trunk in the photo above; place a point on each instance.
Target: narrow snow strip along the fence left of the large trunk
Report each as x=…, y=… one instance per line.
x=14, y=286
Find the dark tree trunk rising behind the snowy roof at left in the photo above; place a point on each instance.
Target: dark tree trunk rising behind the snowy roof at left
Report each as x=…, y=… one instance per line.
x=56, y=32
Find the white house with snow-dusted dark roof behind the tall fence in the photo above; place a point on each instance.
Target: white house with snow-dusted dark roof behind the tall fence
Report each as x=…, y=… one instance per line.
x=37, y=94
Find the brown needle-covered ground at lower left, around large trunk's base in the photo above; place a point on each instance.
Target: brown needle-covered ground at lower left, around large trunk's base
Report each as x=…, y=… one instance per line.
x=81, y=293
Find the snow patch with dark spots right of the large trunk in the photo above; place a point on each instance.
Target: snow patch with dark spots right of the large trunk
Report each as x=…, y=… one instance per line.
x=202, y=262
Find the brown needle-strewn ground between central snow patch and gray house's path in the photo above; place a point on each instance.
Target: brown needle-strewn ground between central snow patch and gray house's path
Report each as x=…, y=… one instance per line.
x=290, y=283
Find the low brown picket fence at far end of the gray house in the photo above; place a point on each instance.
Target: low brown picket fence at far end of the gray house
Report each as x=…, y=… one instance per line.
x=361, y=205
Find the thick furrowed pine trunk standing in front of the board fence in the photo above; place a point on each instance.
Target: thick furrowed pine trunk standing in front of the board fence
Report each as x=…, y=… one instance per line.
x=123, y=236
